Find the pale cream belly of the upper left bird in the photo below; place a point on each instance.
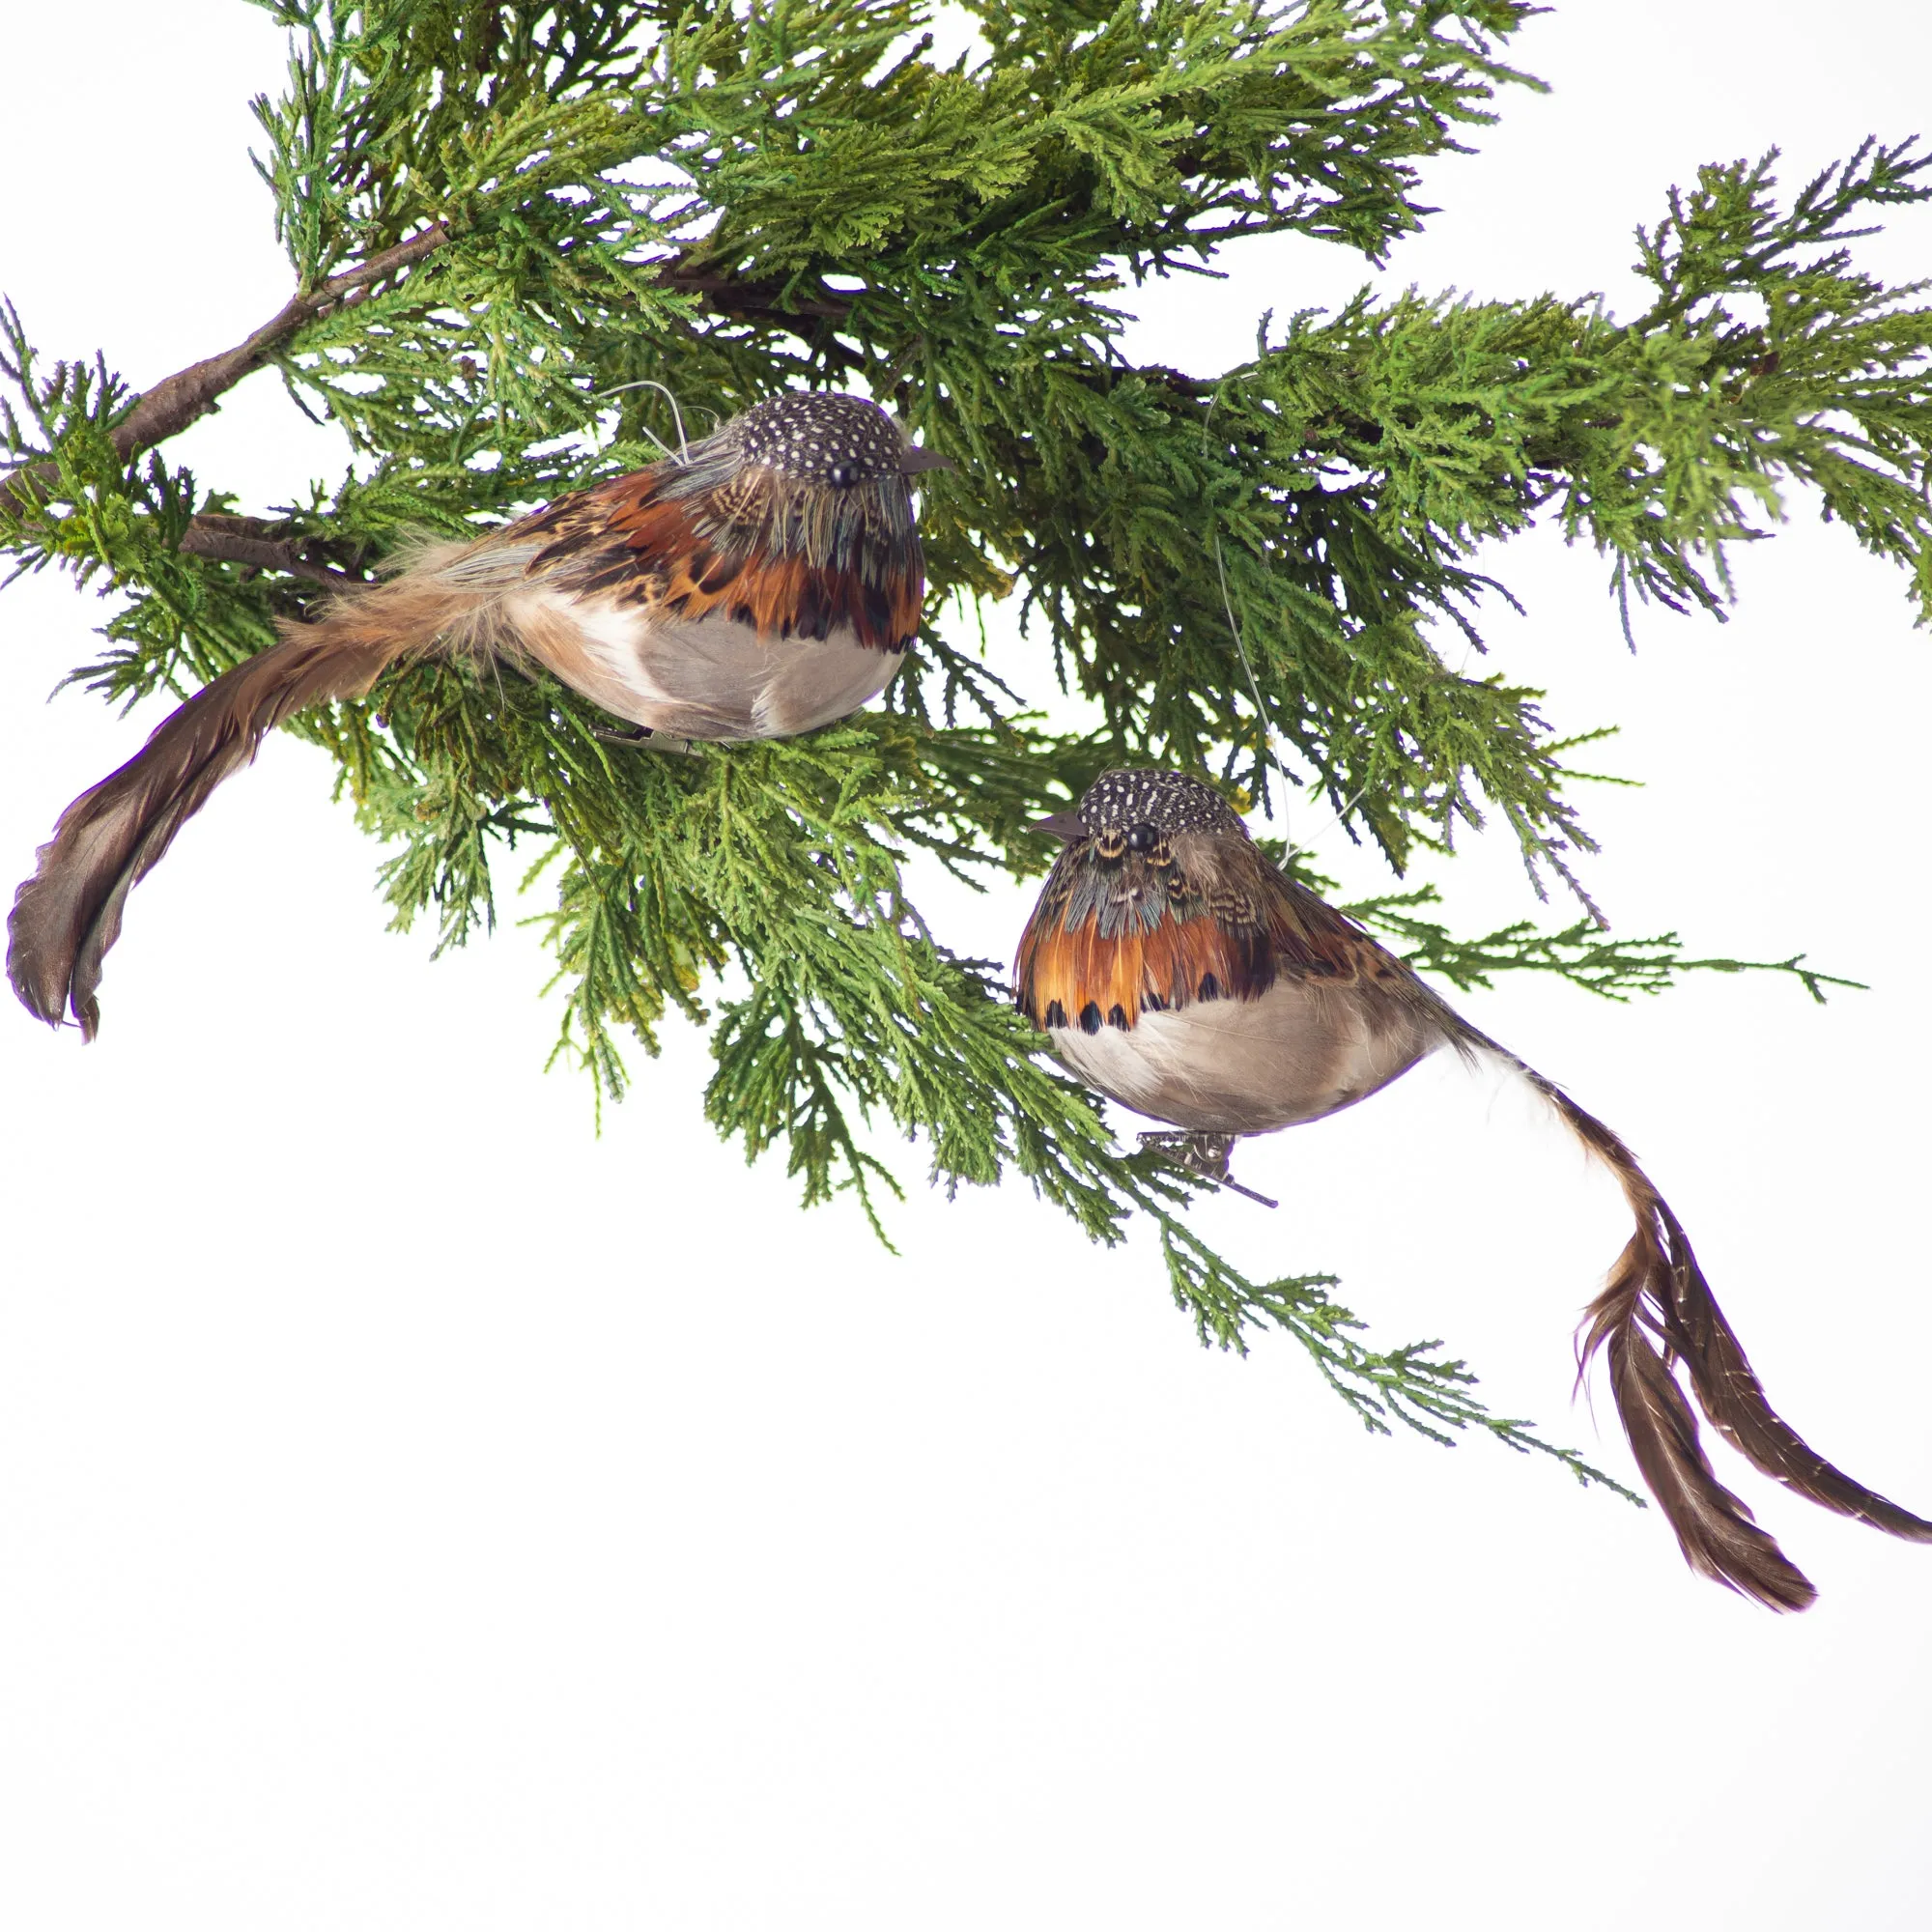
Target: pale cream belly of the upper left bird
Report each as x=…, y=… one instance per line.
x=710, y=677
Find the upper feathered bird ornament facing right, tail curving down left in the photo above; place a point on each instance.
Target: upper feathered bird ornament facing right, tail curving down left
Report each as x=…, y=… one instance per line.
x=762, y=584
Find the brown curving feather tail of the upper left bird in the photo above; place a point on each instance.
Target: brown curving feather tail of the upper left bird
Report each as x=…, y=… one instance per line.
x=69, y=915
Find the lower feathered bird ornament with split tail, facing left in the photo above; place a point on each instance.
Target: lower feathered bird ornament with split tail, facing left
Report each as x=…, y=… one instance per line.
x=1183, y=975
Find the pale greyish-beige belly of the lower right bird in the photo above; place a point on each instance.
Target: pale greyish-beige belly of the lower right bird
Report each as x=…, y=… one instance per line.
x=1299, y=1052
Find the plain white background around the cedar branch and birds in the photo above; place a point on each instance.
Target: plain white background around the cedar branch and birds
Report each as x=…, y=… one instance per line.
x=420, y=1514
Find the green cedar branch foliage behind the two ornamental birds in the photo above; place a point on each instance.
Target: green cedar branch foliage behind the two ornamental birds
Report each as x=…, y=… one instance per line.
x=511, y=223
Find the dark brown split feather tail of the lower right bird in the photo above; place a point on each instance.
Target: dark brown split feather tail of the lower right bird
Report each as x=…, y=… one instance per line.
x=1659, y=1290
